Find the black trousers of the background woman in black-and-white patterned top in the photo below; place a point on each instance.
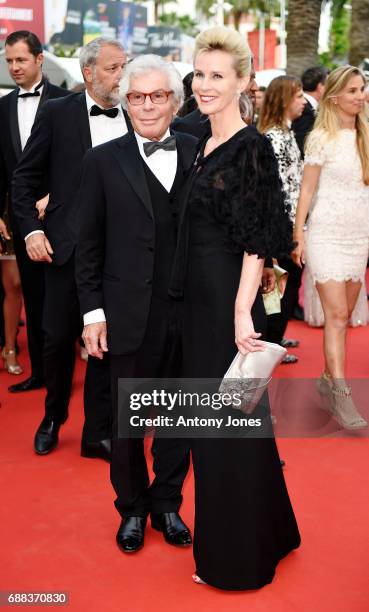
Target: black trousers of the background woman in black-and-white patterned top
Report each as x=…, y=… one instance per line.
x=277, y=323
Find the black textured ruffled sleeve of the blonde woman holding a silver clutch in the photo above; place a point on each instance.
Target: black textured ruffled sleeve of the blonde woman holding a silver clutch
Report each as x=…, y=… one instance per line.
x=250, y=201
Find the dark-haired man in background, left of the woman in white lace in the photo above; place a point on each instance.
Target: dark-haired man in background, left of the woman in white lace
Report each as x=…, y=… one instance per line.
x=313, y=83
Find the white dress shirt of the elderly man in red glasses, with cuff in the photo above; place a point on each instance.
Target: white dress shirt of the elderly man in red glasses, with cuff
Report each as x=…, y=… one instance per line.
x=163, y=164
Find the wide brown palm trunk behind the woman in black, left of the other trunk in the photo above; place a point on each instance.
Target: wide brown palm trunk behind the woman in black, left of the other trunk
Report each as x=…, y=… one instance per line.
x=302, y=34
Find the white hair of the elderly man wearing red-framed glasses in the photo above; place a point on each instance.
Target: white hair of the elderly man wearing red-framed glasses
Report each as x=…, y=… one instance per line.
x=144, y=64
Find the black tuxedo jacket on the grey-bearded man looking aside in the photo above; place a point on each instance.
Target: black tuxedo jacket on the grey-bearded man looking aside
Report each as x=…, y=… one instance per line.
x=58, y=142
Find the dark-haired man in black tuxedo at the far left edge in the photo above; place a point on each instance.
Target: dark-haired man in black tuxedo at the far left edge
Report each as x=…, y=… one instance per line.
x=18, y=110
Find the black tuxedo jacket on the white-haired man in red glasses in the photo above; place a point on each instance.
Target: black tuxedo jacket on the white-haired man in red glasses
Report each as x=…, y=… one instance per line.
x=116, y=244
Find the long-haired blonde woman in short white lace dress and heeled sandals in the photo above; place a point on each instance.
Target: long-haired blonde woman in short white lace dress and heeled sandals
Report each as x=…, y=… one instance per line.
x=335, y=193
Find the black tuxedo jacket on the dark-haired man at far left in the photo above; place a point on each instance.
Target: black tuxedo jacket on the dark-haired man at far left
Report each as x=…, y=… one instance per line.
x=10, y=142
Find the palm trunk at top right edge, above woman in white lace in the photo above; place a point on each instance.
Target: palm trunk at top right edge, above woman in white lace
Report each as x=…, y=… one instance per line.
x=359, y=33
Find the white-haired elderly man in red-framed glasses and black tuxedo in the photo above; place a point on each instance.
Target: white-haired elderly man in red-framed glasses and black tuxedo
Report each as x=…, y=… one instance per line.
x=124, y=256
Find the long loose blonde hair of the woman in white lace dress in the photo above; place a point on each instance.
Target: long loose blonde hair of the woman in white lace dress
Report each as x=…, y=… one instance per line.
x=328, y=118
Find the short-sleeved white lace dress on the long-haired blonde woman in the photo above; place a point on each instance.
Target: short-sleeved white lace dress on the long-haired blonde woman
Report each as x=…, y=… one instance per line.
x=337, y=238
